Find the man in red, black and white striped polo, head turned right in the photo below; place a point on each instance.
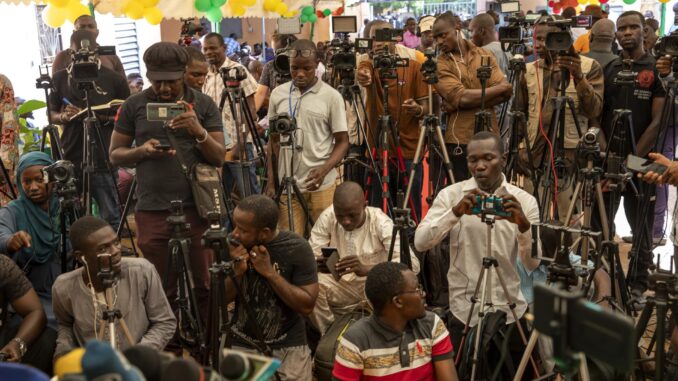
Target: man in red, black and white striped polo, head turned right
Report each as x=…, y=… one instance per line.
x=371, y=348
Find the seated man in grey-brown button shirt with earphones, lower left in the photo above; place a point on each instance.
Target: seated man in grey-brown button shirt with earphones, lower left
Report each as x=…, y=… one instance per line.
x=79, y=295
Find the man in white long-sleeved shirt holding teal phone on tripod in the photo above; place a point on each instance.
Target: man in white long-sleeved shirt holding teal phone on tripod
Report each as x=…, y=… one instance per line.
x=451, y=213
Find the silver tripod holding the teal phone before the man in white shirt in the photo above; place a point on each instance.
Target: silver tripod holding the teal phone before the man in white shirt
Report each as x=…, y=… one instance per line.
x=484, y=281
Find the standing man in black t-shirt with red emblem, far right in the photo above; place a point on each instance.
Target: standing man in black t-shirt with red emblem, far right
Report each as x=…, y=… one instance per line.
x=645, y=99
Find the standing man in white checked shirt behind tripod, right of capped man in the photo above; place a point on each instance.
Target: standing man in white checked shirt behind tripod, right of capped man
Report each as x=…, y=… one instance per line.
x=215, y=53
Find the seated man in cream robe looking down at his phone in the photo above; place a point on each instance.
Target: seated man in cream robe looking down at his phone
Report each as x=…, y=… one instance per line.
x=362, y=236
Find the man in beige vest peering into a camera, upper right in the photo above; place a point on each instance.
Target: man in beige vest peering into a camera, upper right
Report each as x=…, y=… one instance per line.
x=541, y=83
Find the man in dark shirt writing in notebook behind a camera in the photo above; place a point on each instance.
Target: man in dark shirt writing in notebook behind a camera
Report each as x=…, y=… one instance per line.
x=66, y=101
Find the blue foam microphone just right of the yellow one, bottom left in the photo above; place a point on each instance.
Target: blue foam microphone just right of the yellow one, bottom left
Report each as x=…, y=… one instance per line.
x=103, y=363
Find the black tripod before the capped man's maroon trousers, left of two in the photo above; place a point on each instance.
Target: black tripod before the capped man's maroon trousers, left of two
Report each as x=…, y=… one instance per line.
x=189, y=321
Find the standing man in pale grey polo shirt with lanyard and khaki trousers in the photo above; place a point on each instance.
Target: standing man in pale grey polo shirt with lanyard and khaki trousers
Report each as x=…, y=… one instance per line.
x=321, y=135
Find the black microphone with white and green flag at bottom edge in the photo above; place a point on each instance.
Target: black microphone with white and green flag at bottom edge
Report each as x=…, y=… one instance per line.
x=241, y=366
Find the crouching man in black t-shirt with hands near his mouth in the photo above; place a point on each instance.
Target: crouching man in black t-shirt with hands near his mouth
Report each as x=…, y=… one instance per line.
x=278, y=281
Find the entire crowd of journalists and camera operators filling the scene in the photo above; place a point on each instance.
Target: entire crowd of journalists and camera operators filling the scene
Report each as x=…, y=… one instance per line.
x=314, y=229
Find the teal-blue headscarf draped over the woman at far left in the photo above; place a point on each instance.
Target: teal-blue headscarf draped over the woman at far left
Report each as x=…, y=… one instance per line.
x=43, y=228
